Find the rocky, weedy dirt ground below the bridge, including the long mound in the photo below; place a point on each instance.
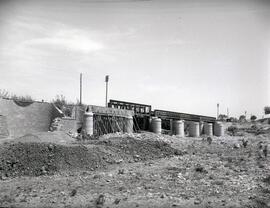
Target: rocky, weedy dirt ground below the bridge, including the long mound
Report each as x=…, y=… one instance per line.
x=136, y=170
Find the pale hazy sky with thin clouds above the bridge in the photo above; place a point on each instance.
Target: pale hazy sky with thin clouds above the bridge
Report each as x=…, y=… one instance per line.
x=176, y=55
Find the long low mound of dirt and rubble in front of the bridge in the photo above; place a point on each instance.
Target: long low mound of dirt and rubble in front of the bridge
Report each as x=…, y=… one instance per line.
x=36, y=158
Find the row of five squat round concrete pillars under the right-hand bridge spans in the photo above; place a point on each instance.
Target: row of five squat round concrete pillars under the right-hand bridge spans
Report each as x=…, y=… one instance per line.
x=194, y=129
